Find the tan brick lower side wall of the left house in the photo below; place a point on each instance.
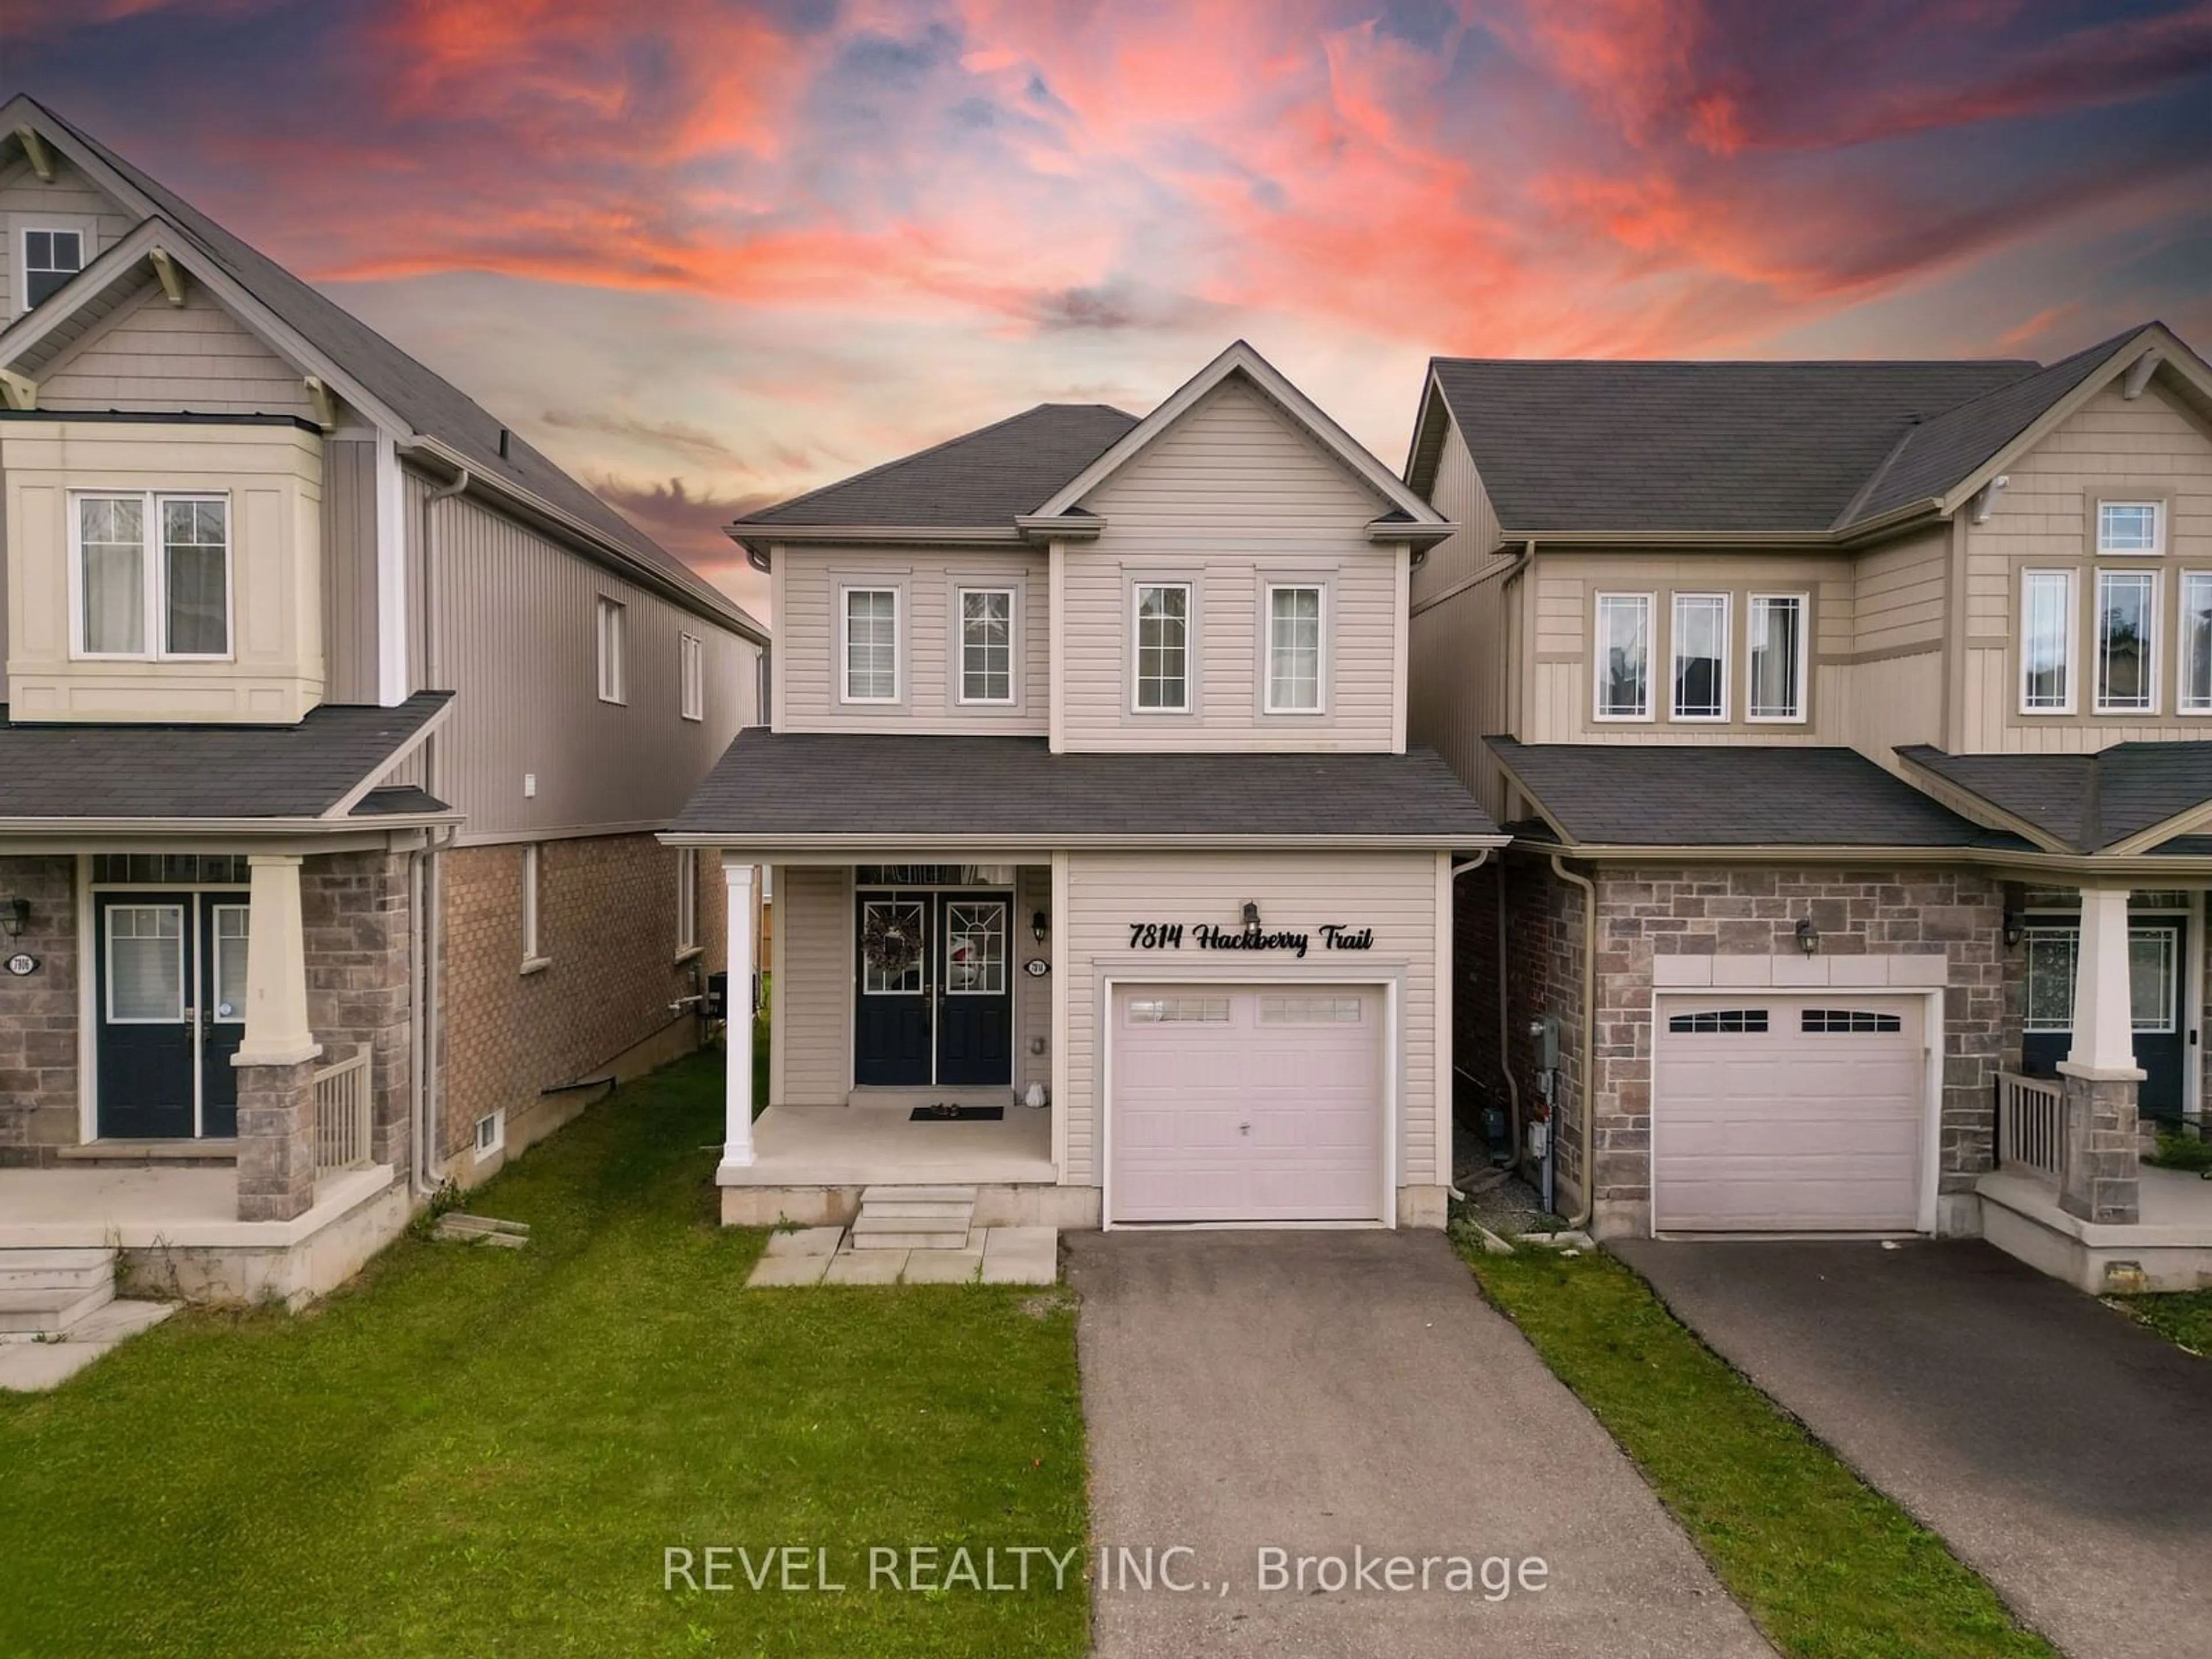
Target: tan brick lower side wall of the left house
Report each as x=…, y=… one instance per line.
x=607, y=921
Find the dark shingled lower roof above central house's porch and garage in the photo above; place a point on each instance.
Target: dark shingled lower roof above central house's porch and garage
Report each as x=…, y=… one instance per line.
x=835, y=784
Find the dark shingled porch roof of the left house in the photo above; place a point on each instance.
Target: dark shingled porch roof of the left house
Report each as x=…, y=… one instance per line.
x=207, y=771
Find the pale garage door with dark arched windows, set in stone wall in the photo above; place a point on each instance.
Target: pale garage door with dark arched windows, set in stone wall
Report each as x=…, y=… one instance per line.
x=1788, y=1116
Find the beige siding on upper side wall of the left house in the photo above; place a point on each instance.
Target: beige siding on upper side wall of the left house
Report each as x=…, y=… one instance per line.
x=519, y=645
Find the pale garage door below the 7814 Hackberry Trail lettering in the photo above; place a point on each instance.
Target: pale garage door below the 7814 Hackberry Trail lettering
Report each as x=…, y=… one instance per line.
x=1246, y=1105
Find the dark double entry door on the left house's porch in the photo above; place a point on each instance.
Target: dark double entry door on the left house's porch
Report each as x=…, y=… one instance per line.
x=171, y=1010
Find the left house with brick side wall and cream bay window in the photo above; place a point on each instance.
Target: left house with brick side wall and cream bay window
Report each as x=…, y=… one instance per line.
x=337, y=731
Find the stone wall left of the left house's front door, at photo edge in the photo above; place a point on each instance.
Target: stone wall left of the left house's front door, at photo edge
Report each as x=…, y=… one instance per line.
x=39, y=1012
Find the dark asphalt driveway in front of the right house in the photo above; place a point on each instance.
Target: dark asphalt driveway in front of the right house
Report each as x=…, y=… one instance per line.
x=2063, y=1450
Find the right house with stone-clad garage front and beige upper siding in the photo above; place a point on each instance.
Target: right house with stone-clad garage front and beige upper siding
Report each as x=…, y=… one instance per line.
x=1850, y=727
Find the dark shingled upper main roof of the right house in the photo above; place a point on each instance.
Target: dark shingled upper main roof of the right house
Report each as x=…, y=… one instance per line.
x=1596, y=446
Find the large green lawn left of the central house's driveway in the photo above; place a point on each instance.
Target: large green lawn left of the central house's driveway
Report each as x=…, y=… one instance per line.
x=479, y=1452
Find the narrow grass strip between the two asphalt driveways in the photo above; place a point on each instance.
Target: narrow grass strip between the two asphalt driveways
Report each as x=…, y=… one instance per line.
x=1828, y=1567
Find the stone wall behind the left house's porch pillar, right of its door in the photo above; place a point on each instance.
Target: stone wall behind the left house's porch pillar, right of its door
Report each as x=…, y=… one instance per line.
x=359, y=930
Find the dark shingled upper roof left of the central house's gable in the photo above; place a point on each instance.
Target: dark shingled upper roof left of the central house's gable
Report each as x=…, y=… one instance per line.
x=983, y=477
